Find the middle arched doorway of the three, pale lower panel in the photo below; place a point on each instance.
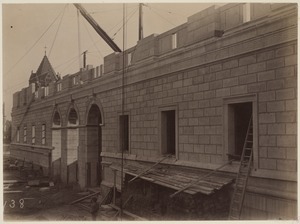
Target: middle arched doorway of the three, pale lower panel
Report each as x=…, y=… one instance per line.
x=72, y=146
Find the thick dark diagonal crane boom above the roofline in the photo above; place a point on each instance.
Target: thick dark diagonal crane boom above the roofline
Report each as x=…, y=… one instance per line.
x=97, y=28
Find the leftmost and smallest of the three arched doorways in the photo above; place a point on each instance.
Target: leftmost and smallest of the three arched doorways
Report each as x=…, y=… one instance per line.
x=56, y=143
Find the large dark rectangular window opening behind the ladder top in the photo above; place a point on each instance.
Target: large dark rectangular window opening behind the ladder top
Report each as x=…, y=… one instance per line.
x=239, y=115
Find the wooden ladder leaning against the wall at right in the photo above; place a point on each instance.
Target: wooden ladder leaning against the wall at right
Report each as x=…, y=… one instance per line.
x=242, y=176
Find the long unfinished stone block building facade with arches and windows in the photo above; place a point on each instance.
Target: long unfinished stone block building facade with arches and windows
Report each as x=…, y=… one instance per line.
x=189, y=93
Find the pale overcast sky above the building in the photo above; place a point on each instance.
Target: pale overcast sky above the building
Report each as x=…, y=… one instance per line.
x=28, y=33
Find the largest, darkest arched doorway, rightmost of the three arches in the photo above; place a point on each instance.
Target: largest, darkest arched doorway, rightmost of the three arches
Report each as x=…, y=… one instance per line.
x=93, y=166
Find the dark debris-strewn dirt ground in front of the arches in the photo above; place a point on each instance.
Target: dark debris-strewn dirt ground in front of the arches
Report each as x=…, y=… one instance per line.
x=22, y=202
